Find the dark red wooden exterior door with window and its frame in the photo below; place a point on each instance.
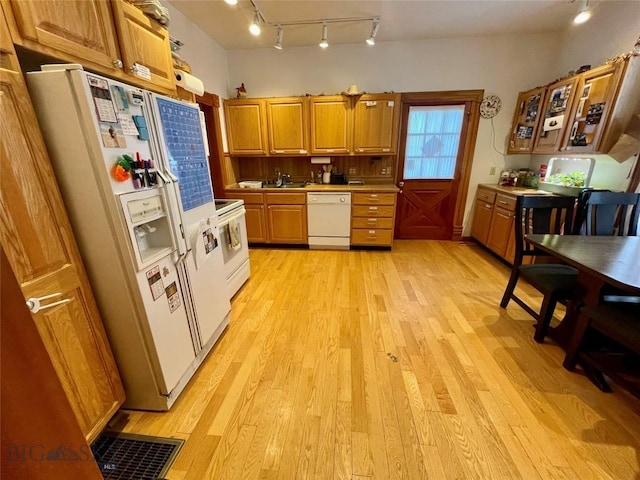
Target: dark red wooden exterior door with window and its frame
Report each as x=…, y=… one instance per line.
x=437, y=140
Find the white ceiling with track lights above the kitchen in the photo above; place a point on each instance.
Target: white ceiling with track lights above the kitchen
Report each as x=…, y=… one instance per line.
x=401, y=20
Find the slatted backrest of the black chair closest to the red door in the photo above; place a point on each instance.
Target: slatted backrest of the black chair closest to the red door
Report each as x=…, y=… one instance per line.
x=540, y=215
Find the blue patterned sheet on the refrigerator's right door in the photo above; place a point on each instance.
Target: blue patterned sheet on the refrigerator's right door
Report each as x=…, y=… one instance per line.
x=187, y=155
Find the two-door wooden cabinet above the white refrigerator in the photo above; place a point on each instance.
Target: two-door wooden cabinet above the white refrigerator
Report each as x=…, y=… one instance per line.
x=110, y=37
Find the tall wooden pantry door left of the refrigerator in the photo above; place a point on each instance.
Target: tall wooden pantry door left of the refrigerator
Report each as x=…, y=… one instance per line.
x=38, y=241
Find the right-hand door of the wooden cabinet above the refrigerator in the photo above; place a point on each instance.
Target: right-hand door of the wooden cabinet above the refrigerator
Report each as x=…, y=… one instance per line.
x=143, y=41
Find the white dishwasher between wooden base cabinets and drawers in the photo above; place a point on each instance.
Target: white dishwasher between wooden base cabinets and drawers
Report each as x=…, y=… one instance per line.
x=329, y=219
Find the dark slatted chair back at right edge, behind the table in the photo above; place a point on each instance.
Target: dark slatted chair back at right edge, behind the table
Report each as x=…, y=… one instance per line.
x=612, y=213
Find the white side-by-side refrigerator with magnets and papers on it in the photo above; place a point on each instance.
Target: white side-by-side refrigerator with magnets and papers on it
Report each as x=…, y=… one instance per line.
x=134, y=175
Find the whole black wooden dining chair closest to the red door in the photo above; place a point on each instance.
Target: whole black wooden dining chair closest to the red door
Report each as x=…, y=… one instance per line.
x=540, y=215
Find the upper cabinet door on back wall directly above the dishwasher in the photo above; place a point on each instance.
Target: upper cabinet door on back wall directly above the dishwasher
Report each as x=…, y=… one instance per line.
x=331, y=124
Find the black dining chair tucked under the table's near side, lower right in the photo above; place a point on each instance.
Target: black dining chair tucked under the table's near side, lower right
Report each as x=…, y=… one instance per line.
x=619, y=322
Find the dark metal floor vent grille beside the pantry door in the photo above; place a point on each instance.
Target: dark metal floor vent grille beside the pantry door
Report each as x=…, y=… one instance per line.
x=124, y=456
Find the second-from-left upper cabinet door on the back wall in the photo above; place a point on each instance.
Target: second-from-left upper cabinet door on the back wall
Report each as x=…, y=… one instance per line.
x=288, y=125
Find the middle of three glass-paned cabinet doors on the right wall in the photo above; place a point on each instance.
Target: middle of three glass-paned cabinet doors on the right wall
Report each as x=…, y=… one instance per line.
x=556, y=109
